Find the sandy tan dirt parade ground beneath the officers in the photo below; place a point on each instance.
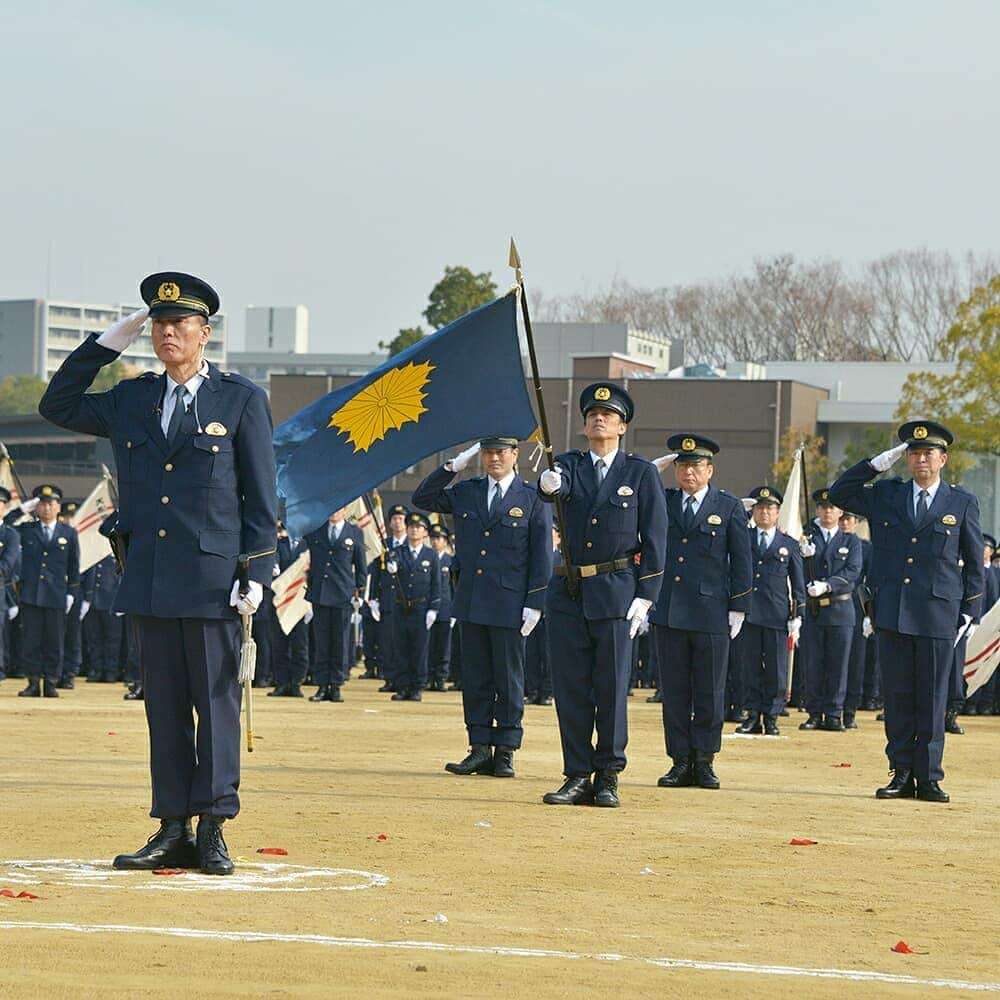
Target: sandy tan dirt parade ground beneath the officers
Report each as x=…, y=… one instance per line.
x=678, y=893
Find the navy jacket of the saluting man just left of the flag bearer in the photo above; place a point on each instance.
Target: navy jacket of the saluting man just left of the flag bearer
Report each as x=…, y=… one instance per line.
x=506, y=557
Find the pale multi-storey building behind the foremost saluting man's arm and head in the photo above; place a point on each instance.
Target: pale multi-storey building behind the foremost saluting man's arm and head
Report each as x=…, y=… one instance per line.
x=36, y=335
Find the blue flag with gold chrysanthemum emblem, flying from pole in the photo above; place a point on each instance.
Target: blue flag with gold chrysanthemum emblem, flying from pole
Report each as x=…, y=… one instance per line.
x=463, y=382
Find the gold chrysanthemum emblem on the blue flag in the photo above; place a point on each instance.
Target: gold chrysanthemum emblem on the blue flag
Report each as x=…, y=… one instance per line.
x=397, y=398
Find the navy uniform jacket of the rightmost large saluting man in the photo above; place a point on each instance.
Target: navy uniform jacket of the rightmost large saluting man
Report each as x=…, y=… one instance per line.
x=924, y=577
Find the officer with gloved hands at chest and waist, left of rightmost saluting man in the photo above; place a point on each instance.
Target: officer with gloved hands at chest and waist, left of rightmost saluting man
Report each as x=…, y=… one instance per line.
x=833, y=569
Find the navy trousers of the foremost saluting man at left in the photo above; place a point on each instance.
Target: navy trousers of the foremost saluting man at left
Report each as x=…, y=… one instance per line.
x=191, y=665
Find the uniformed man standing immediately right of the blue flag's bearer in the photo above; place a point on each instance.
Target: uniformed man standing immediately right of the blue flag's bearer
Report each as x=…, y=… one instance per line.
x=701, y=609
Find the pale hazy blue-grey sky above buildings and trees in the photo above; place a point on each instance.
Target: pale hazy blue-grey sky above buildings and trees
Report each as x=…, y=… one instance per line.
x=341, y=155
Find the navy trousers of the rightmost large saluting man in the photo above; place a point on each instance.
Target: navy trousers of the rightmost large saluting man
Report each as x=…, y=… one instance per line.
x=916, y=671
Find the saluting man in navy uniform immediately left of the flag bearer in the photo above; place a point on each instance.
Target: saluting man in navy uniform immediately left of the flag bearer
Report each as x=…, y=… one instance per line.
x=503, y=539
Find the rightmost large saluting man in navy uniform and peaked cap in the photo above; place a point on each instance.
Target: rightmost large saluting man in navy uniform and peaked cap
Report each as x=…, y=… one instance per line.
x=927, y=579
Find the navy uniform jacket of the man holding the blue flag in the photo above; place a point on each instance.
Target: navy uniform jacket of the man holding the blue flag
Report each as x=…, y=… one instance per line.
x=624, y=518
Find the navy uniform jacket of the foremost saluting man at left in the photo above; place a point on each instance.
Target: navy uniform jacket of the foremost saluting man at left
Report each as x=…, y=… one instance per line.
x=188, y=509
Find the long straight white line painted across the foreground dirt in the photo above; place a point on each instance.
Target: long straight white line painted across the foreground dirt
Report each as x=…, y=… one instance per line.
x=854, y=975
